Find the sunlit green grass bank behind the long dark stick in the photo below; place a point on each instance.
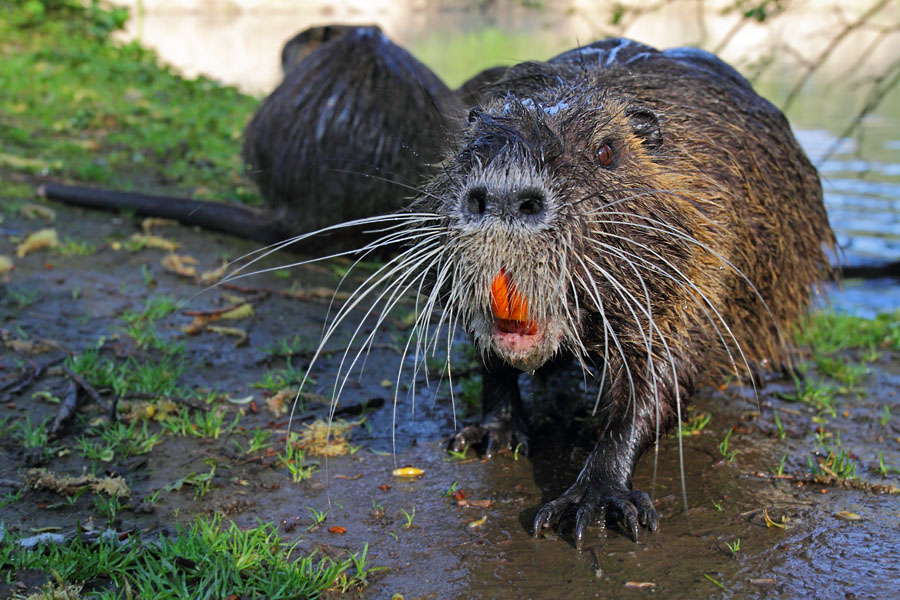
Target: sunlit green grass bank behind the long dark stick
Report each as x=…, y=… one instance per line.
x=76, y=104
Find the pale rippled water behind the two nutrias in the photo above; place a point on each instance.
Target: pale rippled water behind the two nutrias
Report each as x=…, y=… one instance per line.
x=239, y=43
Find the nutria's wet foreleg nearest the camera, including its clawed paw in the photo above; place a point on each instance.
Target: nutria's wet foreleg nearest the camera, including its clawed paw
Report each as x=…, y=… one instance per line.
x=602, y=493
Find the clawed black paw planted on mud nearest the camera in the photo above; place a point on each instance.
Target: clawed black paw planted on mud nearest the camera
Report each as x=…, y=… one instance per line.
x=602, y=504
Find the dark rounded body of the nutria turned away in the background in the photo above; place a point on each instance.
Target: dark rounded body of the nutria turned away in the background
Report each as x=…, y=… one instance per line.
x=349, y=132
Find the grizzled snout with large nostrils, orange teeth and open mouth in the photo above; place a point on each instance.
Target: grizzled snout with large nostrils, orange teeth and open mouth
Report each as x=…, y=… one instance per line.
x=501, y=237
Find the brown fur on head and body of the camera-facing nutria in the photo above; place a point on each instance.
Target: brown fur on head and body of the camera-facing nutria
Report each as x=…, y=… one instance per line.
x=728, y=173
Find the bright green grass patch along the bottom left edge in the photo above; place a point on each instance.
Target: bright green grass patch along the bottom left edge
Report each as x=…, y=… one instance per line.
x=208, y=560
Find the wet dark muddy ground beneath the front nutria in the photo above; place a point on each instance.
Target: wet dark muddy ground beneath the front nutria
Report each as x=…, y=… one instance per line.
x=73, y=300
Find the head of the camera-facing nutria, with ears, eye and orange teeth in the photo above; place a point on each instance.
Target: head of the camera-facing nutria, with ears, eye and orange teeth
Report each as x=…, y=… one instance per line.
x=546, y=201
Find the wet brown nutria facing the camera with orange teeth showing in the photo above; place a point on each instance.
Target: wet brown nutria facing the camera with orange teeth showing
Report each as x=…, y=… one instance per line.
x=643, y=213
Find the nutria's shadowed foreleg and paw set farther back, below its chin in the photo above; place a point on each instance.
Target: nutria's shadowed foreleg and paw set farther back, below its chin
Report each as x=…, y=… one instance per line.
x=504, y=425
